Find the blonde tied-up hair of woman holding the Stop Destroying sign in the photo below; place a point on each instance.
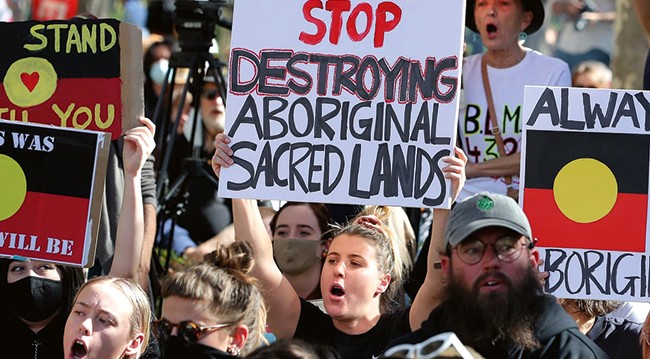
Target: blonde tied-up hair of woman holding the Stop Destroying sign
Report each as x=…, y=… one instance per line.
x=392, y=254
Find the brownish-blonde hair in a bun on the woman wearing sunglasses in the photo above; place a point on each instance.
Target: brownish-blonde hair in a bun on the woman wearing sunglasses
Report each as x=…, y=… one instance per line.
x=222, y=284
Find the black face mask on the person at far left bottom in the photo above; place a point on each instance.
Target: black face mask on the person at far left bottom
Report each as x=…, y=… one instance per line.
x=34, y=298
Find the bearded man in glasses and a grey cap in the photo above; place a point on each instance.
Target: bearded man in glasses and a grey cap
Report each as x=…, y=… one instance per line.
x=494, y=301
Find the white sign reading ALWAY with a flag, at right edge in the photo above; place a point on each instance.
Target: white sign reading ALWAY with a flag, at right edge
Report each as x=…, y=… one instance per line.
x=585, y=169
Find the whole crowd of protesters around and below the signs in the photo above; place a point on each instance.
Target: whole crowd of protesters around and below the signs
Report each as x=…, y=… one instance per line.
x=316, y=281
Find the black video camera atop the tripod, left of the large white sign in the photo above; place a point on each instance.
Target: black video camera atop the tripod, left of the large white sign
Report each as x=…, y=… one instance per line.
x=195, y=22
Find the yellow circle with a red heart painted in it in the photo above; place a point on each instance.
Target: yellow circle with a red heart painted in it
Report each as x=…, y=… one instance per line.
x=30, y=81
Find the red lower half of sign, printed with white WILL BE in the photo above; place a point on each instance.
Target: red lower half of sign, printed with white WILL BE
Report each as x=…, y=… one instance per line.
x=52, y=228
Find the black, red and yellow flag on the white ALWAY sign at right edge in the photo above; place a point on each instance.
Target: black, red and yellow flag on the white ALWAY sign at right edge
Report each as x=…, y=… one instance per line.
x=587, y=190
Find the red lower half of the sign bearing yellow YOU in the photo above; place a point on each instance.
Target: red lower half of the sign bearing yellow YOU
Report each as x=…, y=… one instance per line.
x=82, y=103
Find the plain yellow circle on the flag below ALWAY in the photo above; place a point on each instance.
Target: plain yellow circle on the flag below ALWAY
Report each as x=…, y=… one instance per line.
x=585, y=190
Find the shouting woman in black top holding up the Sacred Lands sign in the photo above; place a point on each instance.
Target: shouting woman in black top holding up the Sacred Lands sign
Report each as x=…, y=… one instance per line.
x=360, y=280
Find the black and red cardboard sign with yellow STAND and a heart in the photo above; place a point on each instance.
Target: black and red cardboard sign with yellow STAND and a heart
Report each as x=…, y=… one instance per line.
x=84, y=74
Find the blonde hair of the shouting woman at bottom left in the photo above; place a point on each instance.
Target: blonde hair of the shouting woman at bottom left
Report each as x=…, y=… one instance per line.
x=141, y=317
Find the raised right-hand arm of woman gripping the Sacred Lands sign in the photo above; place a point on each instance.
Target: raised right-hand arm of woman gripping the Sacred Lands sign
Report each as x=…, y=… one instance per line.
x=431, y=292
